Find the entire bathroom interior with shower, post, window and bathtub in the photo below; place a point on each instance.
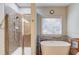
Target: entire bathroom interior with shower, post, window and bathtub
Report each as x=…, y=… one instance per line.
x=32, y=29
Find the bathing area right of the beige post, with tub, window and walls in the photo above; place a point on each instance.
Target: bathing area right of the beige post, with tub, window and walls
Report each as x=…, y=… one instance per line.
x=64, y=29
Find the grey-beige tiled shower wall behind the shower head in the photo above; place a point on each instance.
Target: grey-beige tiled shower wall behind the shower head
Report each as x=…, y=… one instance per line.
x=14, y=31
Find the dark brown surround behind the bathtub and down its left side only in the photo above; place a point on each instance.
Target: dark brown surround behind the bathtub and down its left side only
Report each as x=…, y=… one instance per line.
x=49, y=38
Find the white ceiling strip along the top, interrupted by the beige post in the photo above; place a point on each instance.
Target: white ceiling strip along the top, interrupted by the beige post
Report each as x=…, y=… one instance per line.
x=24, y=5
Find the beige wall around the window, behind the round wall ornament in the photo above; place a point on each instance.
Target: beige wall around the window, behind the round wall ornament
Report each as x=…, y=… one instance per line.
x=58, y=12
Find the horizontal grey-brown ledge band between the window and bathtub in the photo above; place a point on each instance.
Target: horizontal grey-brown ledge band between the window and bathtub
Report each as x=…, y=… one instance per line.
x=53, y=37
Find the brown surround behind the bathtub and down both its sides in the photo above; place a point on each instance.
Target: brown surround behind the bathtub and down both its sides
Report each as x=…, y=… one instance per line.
x=65, y=38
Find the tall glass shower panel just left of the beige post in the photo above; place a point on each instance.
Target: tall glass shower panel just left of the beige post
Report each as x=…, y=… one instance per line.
x=26, y=30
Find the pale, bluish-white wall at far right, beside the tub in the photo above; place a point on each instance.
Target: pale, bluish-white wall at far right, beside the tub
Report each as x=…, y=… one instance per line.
x=73, y=20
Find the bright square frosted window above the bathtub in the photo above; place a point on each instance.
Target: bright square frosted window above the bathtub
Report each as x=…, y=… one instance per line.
x=52, y=25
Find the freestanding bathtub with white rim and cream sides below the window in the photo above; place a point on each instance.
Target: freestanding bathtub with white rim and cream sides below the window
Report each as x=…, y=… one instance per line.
x=55, y=47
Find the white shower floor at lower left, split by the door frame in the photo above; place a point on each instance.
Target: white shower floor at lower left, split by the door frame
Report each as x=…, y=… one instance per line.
x=18, y=51
